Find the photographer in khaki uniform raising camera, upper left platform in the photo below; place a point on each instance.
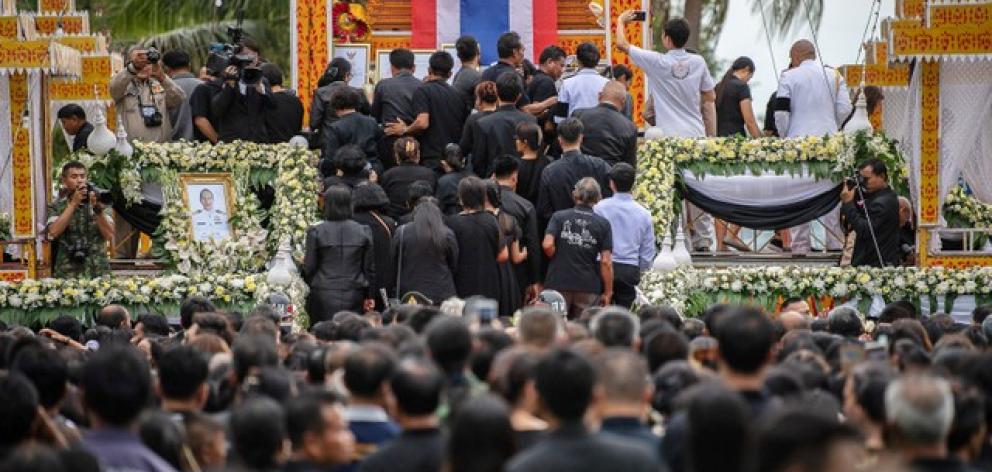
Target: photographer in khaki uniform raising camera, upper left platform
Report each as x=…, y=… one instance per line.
x=145, y=96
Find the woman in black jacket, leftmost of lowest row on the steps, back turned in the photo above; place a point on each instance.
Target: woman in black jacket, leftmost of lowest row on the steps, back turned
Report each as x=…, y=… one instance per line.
x=339, y=263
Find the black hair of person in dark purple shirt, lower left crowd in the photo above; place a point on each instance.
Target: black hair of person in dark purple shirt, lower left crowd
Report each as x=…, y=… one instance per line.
x=116, y=384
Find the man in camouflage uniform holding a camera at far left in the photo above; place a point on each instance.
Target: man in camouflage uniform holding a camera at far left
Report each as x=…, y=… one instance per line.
x=79, y=227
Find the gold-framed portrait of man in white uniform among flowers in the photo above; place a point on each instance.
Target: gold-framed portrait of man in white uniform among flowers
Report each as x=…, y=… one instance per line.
x=210, y=200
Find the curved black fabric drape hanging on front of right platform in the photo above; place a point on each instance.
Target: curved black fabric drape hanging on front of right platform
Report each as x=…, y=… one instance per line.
x=767, y=217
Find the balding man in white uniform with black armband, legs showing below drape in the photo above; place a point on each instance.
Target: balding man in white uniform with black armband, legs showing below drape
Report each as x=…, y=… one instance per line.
x=812, y=100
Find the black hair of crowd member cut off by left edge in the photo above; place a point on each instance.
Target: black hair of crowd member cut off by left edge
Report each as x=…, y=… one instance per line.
x=18, y=408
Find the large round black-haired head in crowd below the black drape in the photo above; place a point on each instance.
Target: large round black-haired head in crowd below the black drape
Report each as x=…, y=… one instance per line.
x=745, y=337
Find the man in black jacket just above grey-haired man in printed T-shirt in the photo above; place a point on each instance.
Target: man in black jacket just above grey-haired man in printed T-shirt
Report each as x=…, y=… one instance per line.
x=560, y=177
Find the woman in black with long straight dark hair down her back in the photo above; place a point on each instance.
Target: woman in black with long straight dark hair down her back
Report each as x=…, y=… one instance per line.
x=426, y=254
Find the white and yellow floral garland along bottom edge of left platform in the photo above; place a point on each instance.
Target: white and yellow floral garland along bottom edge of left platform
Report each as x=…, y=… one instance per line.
x=35, y=302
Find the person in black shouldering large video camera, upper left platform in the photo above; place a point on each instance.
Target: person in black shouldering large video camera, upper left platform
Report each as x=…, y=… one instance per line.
x=244, y=101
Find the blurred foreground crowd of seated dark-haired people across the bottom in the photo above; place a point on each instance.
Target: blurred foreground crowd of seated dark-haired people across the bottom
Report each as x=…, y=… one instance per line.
x=423, y=389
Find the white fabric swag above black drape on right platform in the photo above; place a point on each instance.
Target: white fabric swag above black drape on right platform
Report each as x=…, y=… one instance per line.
x=767, y=189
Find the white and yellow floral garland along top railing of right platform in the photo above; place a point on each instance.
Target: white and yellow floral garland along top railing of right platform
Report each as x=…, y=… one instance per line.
x=834, y=156
